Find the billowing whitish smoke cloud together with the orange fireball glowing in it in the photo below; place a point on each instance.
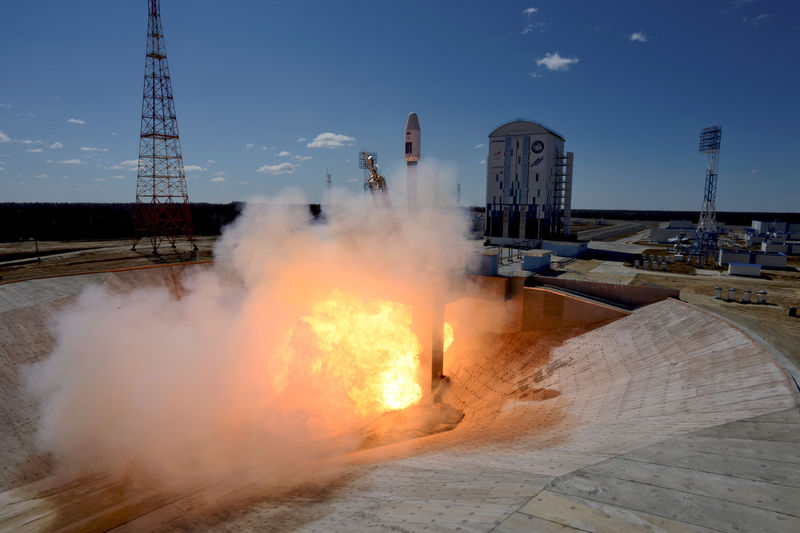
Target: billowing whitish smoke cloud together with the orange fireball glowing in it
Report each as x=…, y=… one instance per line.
x=266, y=360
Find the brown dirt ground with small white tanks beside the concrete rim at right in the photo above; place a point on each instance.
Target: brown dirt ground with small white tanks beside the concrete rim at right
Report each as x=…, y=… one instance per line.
x=768, y=321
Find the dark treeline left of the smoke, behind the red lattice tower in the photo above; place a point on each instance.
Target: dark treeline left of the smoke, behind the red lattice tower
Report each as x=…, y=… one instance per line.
x=65, y=222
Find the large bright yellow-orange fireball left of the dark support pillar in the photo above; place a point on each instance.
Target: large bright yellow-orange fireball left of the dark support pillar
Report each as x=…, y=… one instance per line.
x=369, y=348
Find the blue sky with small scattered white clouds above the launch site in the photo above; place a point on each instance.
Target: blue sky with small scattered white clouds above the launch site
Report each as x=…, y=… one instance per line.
x=628, y=83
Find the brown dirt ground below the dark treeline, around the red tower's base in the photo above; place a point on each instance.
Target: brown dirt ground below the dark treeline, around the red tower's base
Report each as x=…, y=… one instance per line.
x=18, y=260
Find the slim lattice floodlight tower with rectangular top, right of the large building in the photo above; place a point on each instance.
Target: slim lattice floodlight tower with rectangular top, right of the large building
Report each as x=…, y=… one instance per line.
x=705, y=242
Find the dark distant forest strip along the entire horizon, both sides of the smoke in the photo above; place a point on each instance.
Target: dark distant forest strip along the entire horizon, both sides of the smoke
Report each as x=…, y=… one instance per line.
x=62, y=221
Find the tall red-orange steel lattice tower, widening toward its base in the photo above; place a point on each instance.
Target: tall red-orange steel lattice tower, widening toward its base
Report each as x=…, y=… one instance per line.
x=162, y=201
